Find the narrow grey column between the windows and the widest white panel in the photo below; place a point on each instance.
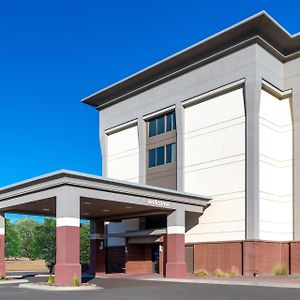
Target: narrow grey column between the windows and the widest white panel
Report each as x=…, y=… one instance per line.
x=179, y=111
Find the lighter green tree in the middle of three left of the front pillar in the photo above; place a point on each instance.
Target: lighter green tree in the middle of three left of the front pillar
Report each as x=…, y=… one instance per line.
x=26, y=229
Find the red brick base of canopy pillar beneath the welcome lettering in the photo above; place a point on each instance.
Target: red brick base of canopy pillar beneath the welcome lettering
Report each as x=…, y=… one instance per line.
x=175, y=267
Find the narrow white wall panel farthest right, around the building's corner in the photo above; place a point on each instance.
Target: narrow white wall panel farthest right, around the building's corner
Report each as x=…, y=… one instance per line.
x=276, y=168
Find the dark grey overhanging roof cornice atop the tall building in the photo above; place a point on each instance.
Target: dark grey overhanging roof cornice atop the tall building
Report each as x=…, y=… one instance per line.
x=260, y=28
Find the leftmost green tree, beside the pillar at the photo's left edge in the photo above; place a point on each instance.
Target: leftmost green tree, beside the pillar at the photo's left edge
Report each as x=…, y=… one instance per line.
x=12, y=240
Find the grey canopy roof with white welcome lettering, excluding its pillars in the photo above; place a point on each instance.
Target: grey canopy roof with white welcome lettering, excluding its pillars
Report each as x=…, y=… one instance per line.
x=99, y=197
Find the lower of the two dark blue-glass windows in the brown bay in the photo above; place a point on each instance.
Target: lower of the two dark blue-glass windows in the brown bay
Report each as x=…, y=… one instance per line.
x=162, y=155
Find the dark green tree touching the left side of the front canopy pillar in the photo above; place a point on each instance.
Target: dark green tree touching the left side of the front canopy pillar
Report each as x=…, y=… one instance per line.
x=45, y=242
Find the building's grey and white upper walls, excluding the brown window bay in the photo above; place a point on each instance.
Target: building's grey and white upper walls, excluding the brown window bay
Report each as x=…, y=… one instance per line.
x=238, y=143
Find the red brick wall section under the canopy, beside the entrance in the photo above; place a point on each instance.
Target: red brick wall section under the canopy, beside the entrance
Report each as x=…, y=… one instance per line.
x=139, y=259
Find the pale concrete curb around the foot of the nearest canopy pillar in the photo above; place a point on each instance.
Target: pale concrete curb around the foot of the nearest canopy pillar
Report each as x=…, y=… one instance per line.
x=35, y=286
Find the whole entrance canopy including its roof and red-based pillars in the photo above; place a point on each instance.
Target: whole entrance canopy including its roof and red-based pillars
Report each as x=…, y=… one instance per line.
x=71, y=196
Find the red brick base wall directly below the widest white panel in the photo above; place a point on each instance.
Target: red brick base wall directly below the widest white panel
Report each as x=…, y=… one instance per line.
x=224, y=255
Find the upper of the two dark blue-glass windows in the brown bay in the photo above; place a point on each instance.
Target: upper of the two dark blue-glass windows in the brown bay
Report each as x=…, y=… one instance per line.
x=162, y=124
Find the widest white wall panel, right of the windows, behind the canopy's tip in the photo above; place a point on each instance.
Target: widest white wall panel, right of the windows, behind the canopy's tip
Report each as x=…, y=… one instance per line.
x=215, y=165
